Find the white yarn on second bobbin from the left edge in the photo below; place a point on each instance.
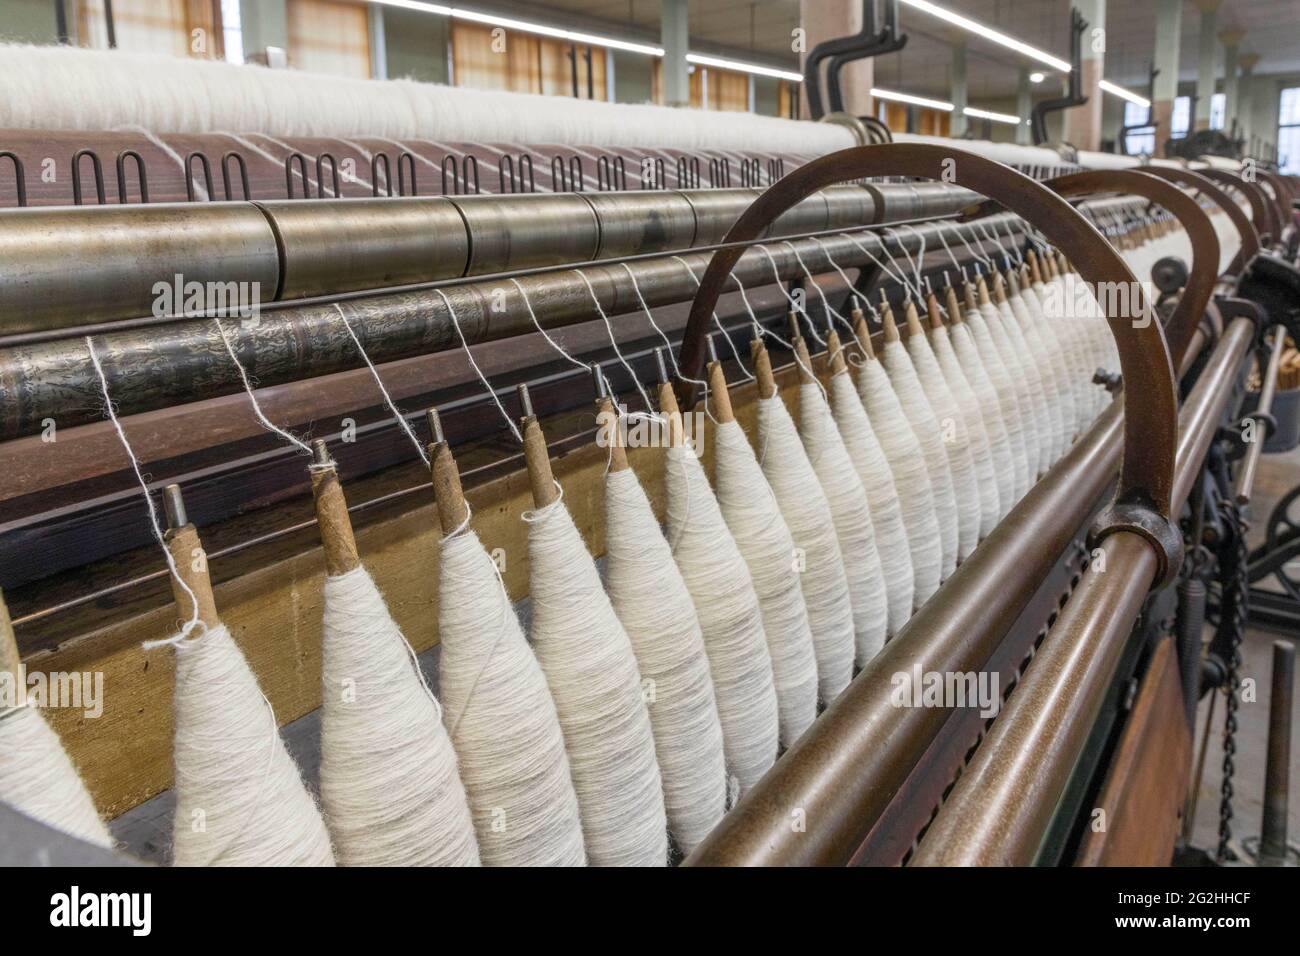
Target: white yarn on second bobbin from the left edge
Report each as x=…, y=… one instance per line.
x=240, y=799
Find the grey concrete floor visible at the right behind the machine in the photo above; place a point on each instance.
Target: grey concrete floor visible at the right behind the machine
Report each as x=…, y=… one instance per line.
x=1279, y=474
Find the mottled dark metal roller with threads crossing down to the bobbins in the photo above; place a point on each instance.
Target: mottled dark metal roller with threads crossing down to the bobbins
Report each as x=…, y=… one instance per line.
x=184, y=361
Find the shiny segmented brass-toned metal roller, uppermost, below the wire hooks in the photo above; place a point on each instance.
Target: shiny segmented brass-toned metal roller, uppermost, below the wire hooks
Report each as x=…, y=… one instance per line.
x=306, y=248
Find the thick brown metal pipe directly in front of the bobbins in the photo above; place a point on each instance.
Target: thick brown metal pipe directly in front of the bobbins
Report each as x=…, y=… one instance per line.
x=844, y=771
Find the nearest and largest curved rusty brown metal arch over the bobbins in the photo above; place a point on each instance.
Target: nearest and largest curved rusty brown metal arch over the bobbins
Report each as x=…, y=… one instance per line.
x=1151, y=425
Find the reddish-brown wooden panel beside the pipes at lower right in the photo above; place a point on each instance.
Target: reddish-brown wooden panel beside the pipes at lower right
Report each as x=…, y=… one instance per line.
x=1147, y=782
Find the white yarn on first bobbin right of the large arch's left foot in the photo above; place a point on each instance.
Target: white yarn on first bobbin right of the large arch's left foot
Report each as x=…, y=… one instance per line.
x=765, y=543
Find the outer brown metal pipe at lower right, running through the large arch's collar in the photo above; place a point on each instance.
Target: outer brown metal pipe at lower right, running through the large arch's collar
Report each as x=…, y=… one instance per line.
x=1002, y=806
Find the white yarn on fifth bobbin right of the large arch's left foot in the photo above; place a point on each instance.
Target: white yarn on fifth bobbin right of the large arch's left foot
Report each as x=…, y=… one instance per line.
x=912, y=482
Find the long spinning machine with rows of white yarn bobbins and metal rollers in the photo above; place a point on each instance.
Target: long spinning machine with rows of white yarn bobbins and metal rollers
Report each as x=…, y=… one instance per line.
x=912, y=474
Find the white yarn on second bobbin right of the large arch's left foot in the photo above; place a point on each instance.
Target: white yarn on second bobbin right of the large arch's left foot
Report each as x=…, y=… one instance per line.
x=808, y=514
